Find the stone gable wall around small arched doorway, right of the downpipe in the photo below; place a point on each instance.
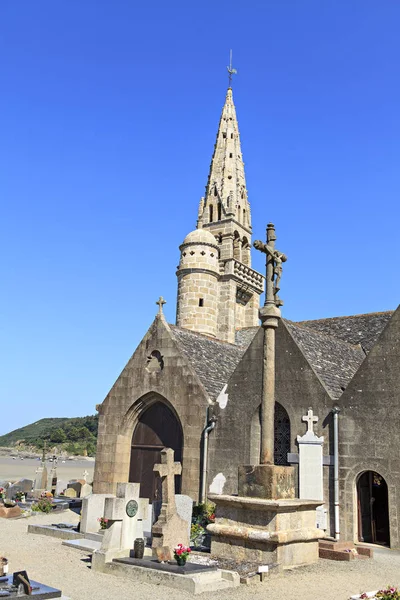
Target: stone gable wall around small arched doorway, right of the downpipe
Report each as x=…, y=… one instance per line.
x=369, y=429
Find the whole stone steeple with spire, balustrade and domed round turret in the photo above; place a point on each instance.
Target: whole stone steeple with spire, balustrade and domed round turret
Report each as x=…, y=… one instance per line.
x=218, y=292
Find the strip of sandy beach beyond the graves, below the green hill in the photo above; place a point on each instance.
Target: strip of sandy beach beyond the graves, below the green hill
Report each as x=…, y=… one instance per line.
x=14, y=469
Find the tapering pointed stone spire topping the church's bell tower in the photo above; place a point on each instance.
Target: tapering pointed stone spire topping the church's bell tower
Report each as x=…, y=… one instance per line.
x=226, y=181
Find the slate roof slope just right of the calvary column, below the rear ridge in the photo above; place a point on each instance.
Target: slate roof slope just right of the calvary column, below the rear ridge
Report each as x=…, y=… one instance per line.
x=333, y=360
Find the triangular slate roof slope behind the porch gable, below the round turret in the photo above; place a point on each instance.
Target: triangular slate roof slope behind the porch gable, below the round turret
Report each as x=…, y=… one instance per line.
x=214, y=361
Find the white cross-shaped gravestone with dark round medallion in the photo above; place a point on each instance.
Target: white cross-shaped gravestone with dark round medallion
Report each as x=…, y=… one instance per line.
x=125, y=514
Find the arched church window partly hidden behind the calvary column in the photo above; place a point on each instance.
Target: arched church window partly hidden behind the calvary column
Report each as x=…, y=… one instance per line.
x=281, y=437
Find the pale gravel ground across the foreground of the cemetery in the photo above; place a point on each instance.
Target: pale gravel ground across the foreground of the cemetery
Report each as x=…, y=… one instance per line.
x=47, y=561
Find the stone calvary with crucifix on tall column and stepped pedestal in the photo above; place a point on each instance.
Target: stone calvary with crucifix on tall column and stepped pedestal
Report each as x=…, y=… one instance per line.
x=265, y=523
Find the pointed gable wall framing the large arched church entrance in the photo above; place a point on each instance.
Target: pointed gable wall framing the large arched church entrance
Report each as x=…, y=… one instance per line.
x=136, y=388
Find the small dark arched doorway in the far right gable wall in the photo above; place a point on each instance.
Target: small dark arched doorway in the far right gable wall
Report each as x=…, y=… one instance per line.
x=373, y=509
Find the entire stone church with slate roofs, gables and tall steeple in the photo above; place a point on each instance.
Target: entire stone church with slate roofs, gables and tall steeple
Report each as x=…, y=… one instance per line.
x=196, y=386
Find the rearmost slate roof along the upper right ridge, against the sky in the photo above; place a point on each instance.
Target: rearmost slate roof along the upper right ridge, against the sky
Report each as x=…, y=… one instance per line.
x=356, y=329
